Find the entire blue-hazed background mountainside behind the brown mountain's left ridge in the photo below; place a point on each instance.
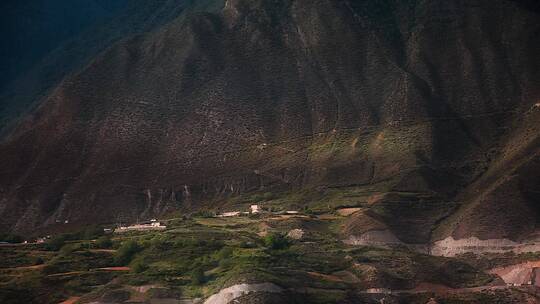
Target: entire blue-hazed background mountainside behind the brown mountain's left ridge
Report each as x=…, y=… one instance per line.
x=47, y=40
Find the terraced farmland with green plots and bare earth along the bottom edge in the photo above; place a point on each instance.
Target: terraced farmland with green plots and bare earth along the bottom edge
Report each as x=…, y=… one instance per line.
x=249, y=258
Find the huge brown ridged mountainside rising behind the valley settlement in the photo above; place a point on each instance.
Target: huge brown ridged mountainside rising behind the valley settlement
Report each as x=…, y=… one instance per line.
x=409, y=96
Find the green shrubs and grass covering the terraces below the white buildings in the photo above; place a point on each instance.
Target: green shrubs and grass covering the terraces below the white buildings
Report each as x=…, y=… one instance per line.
x=197, y=256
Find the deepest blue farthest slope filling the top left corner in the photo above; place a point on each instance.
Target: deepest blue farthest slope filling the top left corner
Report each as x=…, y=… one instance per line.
x=32, y=29
